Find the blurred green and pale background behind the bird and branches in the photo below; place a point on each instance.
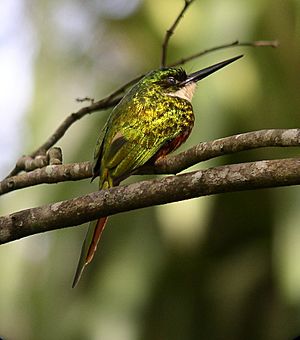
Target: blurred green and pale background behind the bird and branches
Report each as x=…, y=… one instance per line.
x=222, y=267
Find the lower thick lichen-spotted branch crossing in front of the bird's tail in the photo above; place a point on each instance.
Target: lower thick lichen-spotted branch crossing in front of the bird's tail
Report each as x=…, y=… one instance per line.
x=229, y=178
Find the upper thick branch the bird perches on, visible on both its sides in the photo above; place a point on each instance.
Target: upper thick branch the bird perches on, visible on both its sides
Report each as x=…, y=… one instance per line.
x=170, y=165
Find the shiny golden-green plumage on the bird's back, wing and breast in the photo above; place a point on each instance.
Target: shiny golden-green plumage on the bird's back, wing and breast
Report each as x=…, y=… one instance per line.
x=139, y=126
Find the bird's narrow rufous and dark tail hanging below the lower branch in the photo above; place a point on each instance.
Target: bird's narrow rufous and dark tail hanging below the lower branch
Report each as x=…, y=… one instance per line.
x=89, y=246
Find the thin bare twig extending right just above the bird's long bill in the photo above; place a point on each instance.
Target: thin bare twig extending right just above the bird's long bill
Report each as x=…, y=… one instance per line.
x=260, y=43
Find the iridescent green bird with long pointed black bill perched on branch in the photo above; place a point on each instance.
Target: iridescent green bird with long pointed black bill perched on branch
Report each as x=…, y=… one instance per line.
x=153, y=119
